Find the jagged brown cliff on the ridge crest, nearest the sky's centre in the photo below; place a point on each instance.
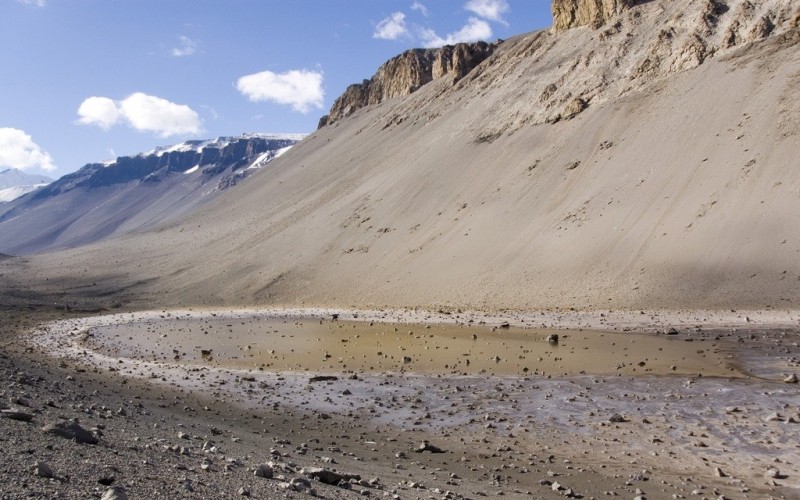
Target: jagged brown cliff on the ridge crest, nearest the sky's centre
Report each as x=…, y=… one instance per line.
x=406, y=73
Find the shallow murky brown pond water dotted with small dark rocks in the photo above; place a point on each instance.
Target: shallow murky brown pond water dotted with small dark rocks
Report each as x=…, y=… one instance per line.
x=336, y=347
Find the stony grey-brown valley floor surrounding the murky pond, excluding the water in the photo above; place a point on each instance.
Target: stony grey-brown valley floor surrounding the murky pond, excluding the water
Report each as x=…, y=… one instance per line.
x=191, y=431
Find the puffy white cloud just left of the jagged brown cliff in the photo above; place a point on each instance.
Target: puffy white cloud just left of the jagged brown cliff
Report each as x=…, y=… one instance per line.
x=300, y=89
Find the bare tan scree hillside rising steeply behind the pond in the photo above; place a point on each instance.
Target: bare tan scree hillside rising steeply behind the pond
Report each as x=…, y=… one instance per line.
x=649, y=162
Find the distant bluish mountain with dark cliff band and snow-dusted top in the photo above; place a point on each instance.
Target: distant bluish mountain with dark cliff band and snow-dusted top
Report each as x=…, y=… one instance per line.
x=133, y=192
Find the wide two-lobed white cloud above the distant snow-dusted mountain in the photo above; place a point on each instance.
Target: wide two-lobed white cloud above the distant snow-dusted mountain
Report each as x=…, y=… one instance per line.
x=143, y=112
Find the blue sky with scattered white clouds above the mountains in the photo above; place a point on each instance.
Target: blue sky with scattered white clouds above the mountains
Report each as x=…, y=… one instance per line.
x=86, y=81
